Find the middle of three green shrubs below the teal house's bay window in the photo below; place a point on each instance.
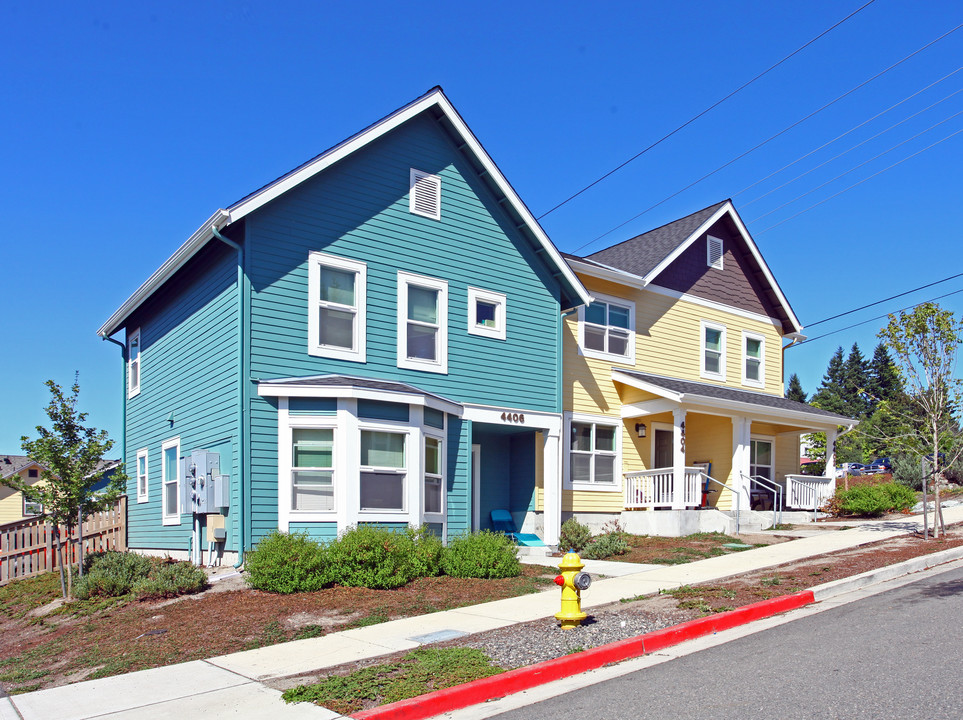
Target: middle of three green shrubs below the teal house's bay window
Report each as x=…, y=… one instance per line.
x=374, y=557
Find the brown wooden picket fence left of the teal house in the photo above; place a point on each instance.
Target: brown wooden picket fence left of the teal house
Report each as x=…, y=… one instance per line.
x=28, y=548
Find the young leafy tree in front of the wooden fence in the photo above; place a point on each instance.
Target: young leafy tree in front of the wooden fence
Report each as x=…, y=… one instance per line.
x=70, y=455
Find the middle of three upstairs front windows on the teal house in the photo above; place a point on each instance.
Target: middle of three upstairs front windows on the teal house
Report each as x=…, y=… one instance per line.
x=422, y=323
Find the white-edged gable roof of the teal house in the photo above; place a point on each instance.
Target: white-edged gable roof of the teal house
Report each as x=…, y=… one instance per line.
x=435, y=102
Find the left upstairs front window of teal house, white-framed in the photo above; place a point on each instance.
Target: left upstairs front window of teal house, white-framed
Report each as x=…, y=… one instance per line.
x=336, y=309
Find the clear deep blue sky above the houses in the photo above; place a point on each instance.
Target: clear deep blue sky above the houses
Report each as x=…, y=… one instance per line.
x=126, y=125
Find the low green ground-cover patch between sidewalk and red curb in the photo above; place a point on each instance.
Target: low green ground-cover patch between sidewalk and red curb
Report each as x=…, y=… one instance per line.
x=420, y=671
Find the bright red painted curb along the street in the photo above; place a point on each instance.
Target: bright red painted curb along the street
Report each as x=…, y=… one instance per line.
x=513, y=681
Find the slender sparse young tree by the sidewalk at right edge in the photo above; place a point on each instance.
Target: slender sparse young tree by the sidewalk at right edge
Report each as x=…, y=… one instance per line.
x=924, y=342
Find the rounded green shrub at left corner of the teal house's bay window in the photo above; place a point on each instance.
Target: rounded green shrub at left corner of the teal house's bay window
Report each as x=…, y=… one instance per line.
x=287, y=563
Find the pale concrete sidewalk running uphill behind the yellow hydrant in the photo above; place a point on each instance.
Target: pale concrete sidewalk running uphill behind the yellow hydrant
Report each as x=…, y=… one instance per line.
x=230, y=685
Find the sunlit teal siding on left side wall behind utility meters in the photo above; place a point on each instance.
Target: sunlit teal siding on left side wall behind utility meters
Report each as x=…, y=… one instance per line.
x=188, y=369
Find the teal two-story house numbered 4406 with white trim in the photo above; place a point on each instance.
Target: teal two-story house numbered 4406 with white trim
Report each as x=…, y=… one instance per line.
x=374, y=337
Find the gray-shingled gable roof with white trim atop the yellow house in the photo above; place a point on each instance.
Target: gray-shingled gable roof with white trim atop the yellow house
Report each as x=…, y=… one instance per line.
x=641, y=259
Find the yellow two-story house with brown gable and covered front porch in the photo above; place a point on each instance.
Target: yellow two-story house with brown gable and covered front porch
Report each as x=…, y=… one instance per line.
x=673, y=384
